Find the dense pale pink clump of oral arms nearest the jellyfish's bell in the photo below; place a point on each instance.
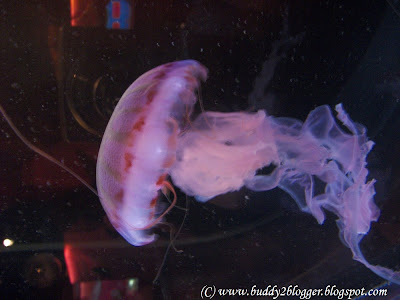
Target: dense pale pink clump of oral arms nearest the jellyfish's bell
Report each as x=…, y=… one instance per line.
x=222, y=152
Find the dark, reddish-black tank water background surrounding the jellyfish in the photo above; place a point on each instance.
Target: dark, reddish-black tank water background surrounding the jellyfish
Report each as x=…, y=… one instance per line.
x=329, y=52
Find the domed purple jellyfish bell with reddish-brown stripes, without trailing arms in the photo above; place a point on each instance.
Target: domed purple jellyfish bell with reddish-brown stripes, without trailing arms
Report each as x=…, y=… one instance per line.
x=139, y=145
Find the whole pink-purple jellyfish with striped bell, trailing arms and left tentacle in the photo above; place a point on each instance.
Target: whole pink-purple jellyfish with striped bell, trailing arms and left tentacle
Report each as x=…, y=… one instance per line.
x=146, y=140
